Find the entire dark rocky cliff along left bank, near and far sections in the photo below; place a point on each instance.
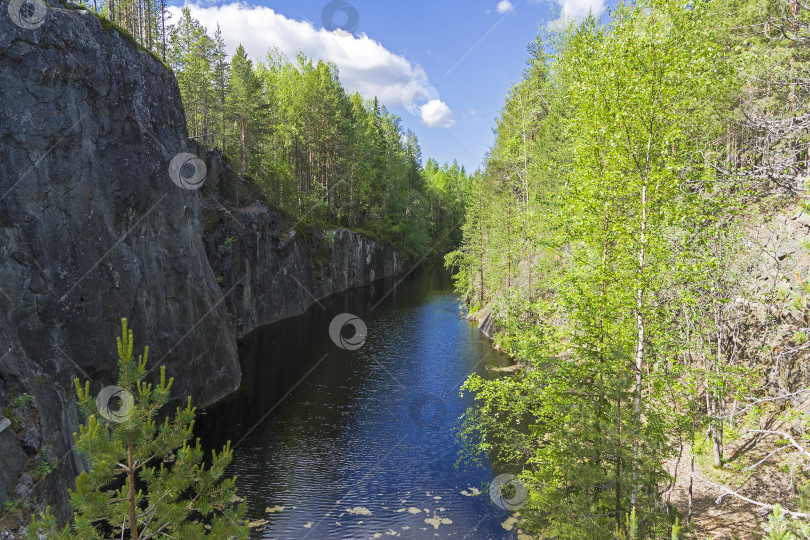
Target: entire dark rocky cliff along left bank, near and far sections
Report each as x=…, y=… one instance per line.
x=92, y=229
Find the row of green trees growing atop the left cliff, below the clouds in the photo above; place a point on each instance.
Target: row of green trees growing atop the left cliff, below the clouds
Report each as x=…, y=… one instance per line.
x=314, y=151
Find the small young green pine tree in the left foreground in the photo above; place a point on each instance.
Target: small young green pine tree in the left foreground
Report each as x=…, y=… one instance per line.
x=145, y=479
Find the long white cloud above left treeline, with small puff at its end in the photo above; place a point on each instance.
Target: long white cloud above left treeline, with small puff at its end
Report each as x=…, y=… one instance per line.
x=365, y=65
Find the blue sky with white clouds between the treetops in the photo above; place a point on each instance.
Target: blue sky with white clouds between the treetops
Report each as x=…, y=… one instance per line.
x=444, y=66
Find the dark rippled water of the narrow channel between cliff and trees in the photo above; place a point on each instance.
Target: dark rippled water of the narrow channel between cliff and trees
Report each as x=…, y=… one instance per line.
x=361, y=443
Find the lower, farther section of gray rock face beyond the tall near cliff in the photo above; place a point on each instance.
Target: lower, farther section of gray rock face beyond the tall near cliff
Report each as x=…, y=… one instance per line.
x=270, y=268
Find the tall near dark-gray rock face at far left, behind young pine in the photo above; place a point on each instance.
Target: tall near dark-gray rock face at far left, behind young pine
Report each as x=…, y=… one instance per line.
x=92, y=229
